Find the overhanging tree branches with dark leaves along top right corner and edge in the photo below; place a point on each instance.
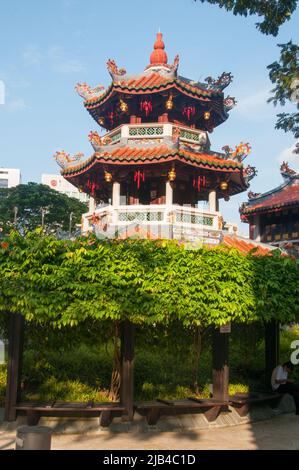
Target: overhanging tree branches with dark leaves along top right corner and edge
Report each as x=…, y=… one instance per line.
x=284, y=73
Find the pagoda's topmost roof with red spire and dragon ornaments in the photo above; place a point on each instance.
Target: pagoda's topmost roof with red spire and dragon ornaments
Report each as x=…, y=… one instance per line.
x=158, y=77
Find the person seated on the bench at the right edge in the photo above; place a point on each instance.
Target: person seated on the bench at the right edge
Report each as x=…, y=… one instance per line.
x=281, y=384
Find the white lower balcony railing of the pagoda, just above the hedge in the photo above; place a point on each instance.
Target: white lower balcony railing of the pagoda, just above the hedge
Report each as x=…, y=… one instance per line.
x=153, y=221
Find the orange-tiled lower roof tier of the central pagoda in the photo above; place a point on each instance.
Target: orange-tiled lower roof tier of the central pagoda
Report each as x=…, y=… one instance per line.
x=155, y=154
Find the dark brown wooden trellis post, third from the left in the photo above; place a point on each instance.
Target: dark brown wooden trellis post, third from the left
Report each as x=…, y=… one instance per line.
x=220, y=365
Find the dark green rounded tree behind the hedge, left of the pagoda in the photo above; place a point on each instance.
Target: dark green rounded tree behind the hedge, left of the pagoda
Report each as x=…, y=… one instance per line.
x=31, y=205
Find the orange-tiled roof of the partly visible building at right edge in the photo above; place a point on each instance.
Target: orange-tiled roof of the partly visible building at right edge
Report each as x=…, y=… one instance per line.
x=281, y=197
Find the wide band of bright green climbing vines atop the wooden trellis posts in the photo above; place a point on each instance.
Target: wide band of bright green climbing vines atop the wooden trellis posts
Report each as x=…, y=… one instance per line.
x=66, y=283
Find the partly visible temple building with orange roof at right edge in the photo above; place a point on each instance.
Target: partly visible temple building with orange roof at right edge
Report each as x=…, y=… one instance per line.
x=273, y=216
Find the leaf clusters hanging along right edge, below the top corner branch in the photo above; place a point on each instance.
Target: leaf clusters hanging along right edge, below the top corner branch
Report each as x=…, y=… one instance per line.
x=285, y=75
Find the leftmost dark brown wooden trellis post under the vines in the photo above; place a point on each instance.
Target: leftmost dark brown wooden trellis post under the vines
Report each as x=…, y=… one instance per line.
x=15, y=351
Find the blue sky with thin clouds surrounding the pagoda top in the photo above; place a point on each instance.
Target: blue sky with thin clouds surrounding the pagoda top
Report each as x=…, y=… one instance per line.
x=47, y=47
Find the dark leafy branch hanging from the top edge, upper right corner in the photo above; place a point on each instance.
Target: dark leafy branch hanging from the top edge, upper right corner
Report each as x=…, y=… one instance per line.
x=273, y=12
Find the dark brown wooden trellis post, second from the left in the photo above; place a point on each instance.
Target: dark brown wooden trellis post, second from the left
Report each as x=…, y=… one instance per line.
x=127, y=370
